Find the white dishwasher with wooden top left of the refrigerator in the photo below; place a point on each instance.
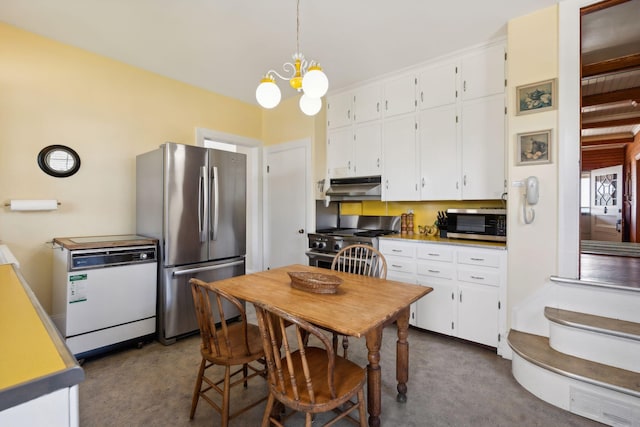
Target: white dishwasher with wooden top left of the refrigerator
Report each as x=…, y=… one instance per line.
x=104, y=291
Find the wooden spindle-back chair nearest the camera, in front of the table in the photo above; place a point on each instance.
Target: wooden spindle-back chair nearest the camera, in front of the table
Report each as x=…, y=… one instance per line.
x=304, y=378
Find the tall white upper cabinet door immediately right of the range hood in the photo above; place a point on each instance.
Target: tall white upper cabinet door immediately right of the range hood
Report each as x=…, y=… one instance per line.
x=400, y=160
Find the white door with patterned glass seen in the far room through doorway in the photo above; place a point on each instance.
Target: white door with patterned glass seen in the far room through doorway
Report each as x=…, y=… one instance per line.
x=606, y=204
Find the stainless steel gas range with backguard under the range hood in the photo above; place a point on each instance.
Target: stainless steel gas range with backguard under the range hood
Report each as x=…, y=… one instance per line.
x=325, y=244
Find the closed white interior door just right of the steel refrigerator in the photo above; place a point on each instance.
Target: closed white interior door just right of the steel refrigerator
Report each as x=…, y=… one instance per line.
x=287, y=194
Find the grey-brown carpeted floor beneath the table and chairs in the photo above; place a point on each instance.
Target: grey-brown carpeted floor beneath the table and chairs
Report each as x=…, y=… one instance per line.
x=452, y=383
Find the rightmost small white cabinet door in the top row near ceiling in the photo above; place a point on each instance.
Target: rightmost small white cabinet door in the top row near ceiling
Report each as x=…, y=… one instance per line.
x=483, y=72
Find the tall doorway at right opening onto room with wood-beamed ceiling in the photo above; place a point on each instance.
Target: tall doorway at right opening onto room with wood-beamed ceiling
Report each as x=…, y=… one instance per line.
x=610, y=125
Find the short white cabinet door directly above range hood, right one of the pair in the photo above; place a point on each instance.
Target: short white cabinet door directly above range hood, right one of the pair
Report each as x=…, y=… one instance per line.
x=368, y=149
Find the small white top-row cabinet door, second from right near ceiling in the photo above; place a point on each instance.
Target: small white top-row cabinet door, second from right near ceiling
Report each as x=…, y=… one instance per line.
x=437, y=85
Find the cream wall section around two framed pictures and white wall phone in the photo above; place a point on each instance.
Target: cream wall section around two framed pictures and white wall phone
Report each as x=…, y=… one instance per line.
x=532, y=57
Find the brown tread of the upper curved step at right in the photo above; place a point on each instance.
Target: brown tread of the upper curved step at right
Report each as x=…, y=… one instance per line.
x=605, y=325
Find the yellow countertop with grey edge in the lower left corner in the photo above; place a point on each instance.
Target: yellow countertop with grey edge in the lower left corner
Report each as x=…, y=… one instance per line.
x=35, y=359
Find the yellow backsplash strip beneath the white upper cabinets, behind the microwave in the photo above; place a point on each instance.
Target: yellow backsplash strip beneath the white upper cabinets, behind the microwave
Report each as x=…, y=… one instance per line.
x=425, y=213
